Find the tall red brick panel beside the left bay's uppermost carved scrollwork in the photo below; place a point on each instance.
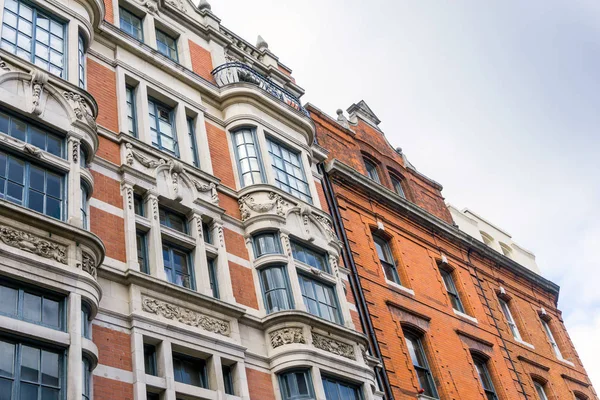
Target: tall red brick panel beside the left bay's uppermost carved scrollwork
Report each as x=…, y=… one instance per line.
x=102, y=84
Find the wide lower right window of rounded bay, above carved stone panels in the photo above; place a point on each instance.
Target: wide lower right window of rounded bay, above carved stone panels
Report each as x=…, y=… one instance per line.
x=320, y=299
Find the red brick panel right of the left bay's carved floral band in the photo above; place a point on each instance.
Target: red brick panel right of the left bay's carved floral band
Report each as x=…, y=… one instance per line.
x=111, y=229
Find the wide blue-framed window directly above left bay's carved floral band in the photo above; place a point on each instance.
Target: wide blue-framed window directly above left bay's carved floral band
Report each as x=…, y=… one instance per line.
x=30, y=186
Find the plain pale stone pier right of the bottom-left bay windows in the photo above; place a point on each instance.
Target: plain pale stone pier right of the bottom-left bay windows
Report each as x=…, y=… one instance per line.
x=75, y=358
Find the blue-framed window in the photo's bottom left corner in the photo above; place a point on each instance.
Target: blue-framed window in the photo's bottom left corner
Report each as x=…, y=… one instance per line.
x=27, y=370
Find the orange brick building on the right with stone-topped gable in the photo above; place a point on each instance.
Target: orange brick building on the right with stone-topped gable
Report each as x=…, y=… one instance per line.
x=451, y=317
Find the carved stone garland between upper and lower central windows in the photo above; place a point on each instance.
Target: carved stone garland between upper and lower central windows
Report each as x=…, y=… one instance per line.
x=175, y=171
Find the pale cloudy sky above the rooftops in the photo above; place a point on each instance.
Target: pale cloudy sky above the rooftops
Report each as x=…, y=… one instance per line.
x=497, y=100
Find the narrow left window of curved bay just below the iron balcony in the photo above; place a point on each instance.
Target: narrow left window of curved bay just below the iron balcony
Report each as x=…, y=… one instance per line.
x=247, y=157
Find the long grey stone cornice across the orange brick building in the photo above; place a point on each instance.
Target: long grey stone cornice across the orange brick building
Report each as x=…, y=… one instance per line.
x=361, y=183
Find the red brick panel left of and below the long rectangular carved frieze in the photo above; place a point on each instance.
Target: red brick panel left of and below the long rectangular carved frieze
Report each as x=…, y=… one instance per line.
x=114, y=347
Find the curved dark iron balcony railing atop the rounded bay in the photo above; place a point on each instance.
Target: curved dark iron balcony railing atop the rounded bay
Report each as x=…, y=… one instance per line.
x=235, y=72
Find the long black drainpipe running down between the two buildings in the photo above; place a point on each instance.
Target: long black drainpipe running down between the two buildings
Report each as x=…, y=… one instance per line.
x=363, y=310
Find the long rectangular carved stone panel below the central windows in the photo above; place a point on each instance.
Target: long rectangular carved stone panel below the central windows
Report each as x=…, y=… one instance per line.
x=186, y=316
